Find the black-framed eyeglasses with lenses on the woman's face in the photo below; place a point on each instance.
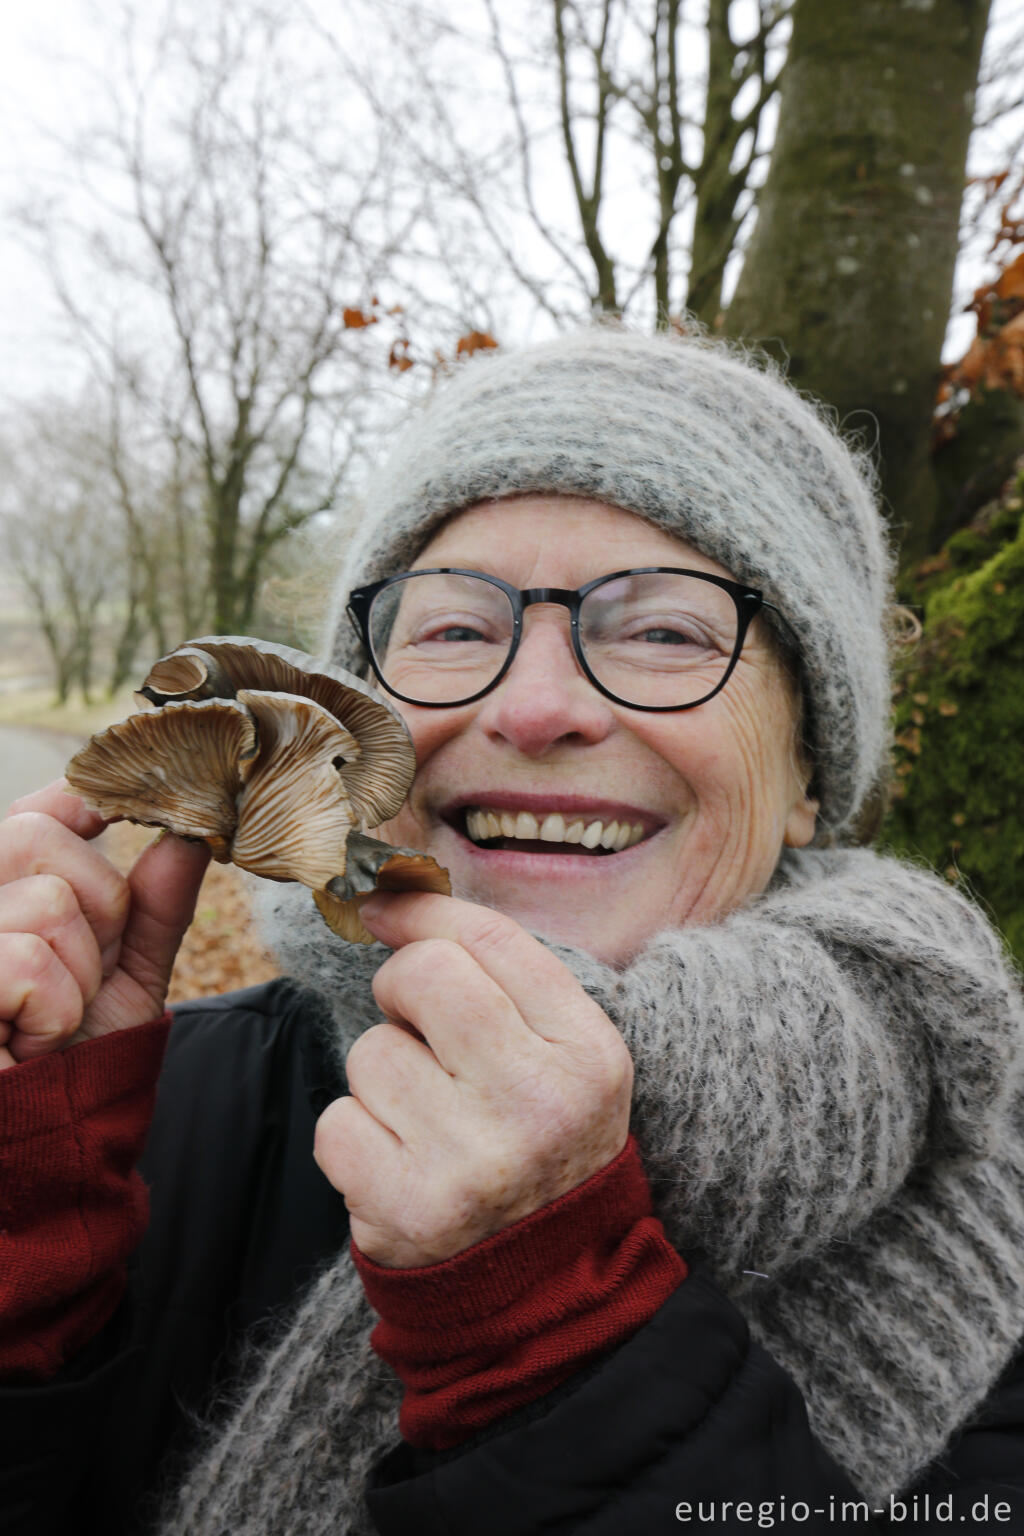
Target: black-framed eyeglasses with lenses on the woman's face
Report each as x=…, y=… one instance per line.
x=650, y=638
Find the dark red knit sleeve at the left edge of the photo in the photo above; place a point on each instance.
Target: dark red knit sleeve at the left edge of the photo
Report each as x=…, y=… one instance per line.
x=73, y=1208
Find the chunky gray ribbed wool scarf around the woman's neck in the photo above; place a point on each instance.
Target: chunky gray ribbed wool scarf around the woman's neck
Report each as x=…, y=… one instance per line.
x=830, y=1105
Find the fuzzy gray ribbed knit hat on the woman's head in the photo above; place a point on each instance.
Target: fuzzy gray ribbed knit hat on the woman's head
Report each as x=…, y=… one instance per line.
x=704, y=445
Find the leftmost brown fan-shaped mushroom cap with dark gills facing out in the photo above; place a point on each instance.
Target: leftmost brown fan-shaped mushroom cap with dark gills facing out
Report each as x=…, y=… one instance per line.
x=179, y=767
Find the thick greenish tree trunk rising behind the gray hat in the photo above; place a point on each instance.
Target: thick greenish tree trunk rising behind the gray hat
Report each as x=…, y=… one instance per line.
x=851, y=265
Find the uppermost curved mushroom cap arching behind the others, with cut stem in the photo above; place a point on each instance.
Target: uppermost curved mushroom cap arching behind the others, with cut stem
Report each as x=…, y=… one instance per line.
x=377, y=783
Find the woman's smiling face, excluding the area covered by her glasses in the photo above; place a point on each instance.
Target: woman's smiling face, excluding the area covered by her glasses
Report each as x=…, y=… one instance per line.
x=586, y=821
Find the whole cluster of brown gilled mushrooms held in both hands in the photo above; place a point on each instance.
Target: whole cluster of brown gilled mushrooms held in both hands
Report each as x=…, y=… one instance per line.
x=279, y=766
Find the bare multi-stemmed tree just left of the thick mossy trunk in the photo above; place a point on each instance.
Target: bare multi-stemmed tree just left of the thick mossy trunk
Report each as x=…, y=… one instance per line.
x=601, y=64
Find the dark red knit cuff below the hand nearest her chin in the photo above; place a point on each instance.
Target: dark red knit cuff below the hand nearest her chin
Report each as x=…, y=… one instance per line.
x=510, y=1319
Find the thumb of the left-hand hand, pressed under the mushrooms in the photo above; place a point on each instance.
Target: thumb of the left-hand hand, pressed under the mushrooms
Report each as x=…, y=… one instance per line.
x=165, y=884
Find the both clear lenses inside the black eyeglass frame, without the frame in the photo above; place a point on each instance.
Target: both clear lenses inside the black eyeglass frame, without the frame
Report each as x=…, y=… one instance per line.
x=656, y=640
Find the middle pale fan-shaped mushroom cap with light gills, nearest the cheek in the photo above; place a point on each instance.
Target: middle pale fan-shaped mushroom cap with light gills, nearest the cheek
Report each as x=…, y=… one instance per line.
x=294, y=812
